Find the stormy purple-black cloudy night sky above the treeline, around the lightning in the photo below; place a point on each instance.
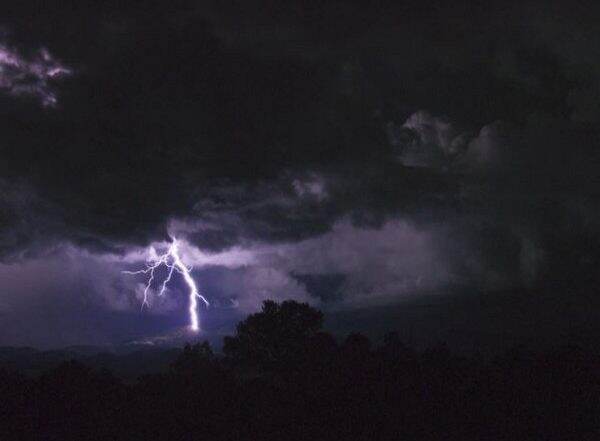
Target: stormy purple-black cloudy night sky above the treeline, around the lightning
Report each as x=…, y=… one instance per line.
x=348, y=155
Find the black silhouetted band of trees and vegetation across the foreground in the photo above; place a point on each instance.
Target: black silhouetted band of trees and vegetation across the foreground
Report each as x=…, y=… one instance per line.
x=282, y=378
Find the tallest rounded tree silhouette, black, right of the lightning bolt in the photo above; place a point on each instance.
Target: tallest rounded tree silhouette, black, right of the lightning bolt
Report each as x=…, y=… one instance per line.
x=276, y=336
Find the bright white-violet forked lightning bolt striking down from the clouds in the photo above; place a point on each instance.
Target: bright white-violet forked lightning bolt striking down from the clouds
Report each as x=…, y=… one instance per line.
x=172, y=261
